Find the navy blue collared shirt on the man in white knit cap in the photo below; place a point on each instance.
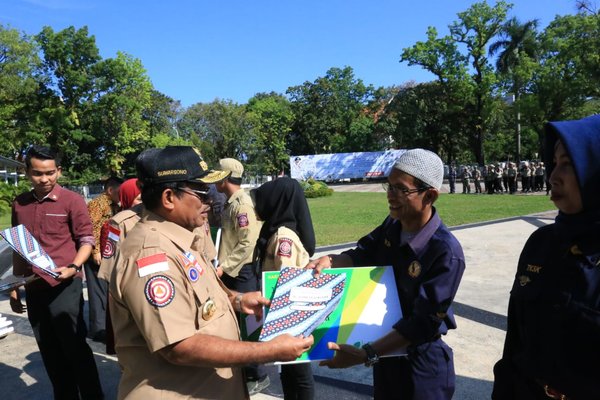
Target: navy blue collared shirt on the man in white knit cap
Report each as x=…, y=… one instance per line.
x=428, y=270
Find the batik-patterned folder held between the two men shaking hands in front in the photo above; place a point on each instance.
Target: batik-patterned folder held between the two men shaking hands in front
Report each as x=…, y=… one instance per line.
x=301, y=302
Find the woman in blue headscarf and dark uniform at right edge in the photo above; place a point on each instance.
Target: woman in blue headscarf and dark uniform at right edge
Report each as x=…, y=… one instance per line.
x=552, y=345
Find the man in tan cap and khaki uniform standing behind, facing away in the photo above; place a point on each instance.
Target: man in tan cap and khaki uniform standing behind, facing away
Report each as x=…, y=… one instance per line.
x=240, y=229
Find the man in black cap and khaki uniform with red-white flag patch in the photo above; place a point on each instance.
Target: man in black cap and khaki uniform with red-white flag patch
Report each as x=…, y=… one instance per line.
x=175, y=325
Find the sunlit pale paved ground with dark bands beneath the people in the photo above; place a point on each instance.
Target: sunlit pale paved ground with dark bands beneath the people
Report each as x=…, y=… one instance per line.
x=491, y=250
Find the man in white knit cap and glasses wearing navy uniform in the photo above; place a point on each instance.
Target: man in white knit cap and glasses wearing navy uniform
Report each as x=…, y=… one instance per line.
x=428, y=264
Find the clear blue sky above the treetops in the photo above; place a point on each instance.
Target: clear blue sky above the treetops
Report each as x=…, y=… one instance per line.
x=197, y=50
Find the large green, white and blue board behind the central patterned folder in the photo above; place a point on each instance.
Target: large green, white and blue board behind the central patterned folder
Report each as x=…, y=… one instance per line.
x=368, y=309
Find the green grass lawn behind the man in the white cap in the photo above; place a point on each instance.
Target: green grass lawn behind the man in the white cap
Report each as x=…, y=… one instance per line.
x=347, y=216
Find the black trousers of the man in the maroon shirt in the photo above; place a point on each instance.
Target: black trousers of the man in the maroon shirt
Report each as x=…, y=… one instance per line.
x=56, y=316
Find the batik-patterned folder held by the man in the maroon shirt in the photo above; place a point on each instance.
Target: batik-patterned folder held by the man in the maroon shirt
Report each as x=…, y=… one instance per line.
x=27, y=246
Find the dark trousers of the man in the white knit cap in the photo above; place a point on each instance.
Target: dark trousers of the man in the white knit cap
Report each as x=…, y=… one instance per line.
x=426, y=374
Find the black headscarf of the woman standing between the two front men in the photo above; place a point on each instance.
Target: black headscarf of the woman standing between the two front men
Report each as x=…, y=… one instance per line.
x=281, y=202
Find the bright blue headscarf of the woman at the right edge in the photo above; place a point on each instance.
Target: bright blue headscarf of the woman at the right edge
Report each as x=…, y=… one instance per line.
x=581, y=139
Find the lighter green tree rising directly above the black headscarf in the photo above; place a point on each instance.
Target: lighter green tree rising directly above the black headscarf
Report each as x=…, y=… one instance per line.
x=270, y=116
